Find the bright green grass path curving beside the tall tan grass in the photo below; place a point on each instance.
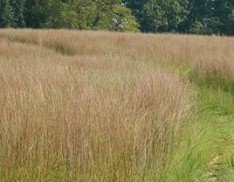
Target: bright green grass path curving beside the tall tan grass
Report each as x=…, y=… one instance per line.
x=206, y=150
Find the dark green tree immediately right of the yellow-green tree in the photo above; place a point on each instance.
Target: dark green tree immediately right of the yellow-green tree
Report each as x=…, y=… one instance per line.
x=159, y=15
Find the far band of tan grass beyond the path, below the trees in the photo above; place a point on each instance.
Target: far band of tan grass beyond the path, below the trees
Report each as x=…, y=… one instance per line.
x=205, y=54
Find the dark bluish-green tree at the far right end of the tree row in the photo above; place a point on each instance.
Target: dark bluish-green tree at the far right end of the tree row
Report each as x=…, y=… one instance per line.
x=210, y=15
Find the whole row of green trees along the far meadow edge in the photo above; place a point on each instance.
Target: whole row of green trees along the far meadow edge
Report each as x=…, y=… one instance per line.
x=182, y=16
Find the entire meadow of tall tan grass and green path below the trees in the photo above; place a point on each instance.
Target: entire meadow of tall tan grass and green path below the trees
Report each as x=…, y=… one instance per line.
x=102, y=106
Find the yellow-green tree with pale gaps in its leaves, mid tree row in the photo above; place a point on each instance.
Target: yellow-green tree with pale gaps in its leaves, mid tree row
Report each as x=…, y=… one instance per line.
x=105, y=15
